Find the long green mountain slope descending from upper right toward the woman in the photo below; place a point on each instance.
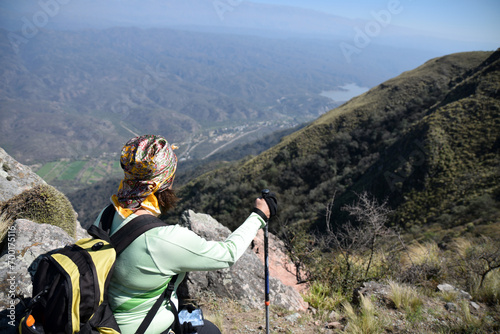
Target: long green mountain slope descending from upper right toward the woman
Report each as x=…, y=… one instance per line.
x=413, y=141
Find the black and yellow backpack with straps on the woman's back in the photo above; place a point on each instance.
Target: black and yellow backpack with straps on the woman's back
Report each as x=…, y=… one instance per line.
x=70, y=284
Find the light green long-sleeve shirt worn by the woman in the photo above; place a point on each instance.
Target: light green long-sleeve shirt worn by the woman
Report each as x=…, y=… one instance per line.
x=146, y=266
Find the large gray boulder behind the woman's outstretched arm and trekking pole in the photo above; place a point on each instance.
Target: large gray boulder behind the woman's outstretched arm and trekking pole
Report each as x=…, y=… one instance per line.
x=244, y=281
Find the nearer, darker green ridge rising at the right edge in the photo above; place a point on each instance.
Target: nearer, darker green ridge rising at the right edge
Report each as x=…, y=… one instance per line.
x=454, y=177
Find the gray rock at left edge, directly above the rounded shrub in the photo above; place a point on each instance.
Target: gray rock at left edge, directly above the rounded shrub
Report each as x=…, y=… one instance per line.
x=15, y=177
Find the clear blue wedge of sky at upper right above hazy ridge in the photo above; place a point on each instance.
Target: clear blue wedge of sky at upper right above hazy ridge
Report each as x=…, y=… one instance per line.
x=473, y=20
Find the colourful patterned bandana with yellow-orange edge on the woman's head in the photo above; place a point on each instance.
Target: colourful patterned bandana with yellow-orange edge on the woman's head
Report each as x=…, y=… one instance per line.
x=149, y=164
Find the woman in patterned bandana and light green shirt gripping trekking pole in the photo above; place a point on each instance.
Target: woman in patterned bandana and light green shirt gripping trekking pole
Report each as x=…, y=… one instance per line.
x=148, y=264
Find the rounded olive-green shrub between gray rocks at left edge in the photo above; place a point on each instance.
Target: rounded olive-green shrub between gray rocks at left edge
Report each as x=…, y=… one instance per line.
x=42, y=204
